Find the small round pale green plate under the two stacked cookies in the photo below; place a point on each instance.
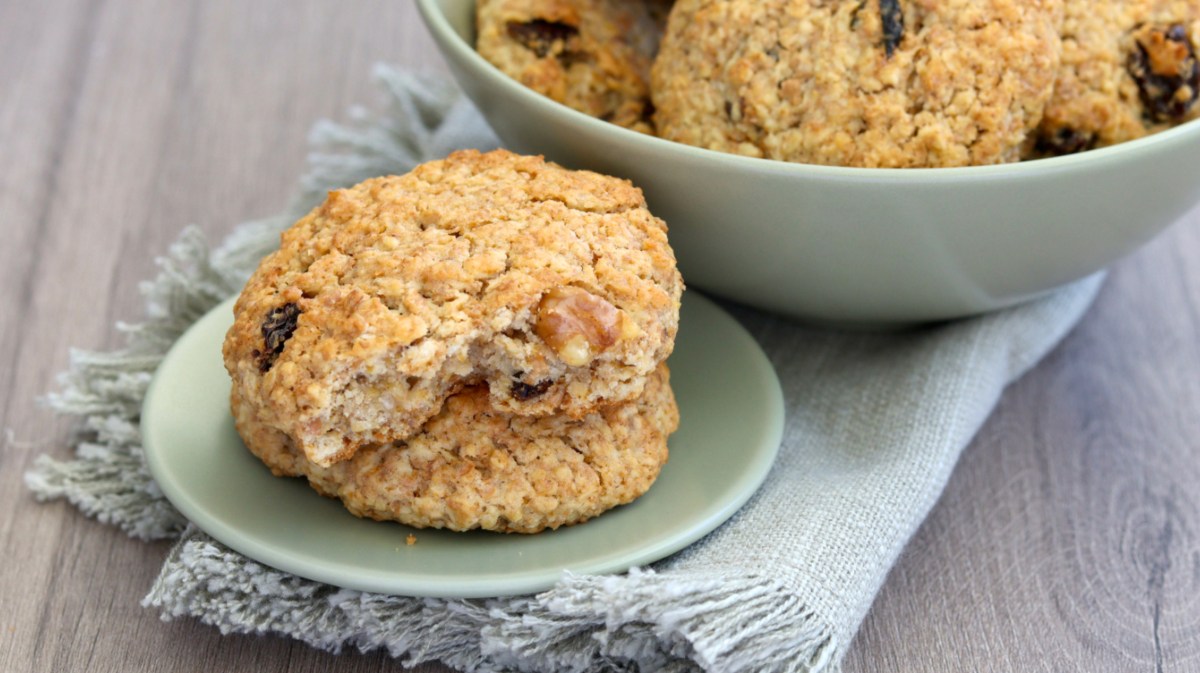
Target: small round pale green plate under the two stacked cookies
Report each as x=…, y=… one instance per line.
x=733, y=420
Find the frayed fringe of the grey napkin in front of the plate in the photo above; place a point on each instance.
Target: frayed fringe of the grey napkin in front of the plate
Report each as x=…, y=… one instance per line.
x=633, y=623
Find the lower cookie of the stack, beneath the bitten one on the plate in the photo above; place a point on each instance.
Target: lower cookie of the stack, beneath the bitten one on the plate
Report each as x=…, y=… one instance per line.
x=475, y=467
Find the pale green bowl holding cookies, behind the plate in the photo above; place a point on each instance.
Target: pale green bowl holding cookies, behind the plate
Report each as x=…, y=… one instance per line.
x=855, y=245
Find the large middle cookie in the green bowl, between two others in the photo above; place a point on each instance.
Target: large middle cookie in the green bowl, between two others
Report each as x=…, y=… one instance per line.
x=872, y=83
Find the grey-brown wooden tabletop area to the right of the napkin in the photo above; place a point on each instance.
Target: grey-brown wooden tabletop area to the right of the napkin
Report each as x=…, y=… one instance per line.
x=1069, y=539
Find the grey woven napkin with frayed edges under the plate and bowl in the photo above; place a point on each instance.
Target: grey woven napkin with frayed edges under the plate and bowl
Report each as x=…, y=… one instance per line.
x=875, y=424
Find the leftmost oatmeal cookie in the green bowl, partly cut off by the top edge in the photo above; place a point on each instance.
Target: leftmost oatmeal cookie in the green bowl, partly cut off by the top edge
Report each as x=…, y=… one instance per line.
x=593, y=56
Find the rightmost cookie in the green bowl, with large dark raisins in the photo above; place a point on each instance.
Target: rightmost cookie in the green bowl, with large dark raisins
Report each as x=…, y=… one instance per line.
x=1129, y=69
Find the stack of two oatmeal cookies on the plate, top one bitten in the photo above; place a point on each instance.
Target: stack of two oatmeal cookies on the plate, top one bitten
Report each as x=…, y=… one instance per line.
x=478, y=344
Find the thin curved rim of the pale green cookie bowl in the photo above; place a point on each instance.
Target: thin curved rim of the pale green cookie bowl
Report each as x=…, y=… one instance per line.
x=448, y=38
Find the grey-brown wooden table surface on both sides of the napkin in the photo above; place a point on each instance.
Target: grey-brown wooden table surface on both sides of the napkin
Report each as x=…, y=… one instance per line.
x=1069, y=538
